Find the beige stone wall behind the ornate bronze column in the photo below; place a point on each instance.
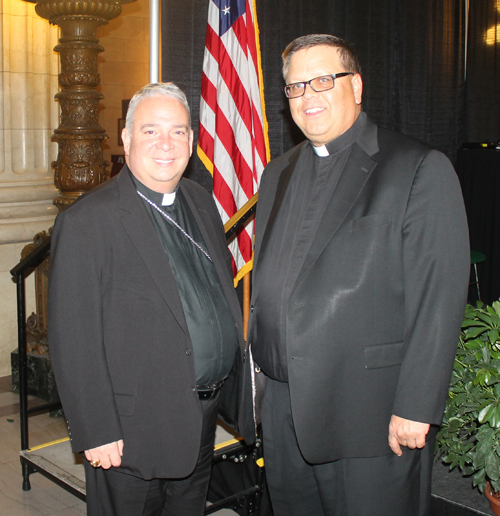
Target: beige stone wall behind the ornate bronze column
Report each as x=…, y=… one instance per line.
x=28, y=116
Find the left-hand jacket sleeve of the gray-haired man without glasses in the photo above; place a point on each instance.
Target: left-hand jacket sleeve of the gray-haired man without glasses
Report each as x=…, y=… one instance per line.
x=76, y=340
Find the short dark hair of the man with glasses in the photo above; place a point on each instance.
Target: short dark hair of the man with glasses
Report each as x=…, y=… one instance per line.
x=348, y=57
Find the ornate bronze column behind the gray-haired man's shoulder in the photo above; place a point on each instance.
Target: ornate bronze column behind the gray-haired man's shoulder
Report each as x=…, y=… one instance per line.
x=80, y=164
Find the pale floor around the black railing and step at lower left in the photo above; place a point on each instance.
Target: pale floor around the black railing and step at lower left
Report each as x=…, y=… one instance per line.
x=45, y=497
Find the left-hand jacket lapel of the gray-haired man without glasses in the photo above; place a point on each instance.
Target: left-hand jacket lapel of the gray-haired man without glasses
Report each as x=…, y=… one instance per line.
x=144, y=237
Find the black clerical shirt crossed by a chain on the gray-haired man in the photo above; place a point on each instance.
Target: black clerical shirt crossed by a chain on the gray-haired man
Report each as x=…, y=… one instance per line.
x=210, y=324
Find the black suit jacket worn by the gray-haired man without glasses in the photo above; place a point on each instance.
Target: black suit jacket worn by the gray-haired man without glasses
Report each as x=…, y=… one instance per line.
x=118, y=337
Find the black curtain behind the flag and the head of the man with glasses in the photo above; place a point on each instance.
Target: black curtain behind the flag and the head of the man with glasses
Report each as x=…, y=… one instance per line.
x=411, y=53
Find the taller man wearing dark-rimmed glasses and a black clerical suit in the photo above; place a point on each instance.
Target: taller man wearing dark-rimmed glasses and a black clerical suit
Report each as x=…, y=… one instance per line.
x=360, y=283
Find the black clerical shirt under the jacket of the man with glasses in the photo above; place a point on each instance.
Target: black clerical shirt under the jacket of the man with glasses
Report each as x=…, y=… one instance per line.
x=308, y=193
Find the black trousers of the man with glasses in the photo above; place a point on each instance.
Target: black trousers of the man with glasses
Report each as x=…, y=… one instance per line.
x=379, y=486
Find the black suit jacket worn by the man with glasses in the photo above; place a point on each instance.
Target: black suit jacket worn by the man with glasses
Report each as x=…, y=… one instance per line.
x=373, y=319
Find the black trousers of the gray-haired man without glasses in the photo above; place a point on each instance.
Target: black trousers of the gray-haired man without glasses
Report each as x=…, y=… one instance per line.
x=113, y=493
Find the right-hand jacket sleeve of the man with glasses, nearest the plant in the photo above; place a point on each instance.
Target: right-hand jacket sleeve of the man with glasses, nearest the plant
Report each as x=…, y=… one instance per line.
x=436, y=261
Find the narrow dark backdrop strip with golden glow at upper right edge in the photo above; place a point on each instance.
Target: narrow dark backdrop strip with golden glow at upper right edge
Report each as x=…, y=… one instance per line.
x=483, y=72
